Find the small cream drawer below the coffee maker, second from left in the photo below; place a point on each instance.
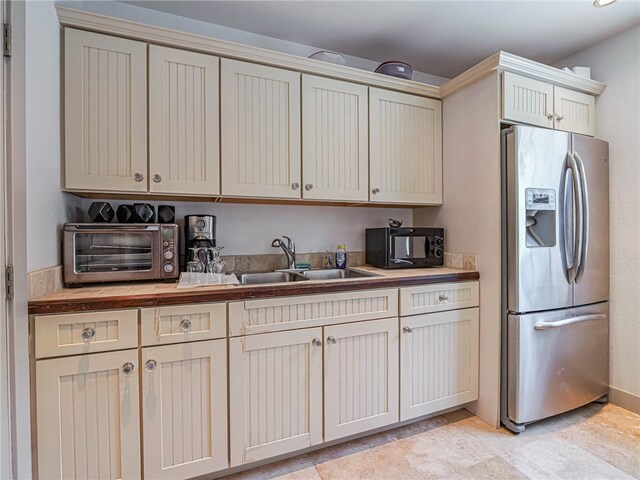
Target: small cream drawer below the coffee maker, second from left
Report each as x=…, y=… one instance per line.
x=183, y=323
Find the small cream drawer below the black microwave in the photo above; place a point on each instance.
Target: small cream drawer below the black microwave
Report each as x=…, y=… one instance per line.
x=438, y=297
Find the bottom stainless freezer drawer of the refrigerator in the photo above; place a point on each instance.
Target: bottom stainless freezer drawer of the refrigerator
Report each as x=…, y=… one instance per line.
x=557, y=361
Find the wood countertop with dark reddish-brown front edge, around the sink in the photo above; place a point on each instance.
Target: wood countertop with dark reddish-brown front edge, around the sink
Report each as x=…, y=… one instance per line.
x=151, y=294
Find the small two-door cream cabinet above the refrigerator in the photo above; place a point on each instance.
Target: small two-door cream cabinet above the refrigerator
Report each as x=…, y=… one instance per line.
x=525, y=100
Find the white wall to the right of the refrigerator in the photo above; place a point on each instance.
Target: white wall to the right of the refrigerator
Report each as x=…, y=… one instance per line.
x=616, y=62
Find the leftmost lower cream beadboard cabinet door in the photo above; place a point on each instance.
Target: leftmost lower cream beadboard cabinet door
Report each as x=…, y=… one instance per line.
x=88, y=419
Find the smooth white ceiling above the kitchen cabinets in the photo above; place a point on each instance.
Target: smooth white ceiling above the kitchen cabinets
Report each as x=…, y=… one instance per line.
x=438, y=37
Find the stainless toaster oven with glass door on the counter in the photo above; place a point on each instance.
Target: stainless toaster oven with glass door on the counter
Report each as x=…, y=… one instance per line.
x=95, y=252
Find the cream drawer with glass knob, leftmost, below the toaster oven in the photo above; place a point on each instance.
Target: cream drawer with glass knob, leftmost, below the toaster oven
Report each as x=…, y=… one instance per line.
x=58, y=335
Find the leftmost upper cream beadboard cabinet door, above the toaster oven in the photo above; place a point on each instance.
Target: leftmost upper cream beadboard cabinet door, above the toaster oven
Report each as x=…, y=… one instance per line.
x=105, y=84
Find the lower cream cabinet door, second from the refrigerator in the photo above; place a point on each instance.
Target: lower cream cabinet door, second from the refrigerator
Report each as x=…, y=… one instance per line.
x=361, y=377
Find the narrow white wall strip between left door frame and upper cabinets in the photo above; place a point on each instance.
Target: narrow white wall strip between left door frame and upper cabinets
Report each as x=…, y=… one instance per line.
x=47, y=207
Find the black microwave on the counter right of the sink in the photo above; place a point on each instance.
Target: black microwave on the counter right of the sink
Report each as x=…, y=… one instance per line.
x=404, y=247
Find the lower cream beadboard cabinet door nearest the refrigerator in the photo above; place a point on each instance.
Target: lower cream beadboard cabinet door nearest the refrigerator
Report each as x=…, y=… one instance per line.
x=438, y=361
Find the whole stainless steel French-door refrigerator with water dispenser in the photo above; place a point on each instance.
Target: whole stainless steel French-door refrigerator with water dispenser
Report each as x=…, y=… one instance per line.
x=555, y=335
